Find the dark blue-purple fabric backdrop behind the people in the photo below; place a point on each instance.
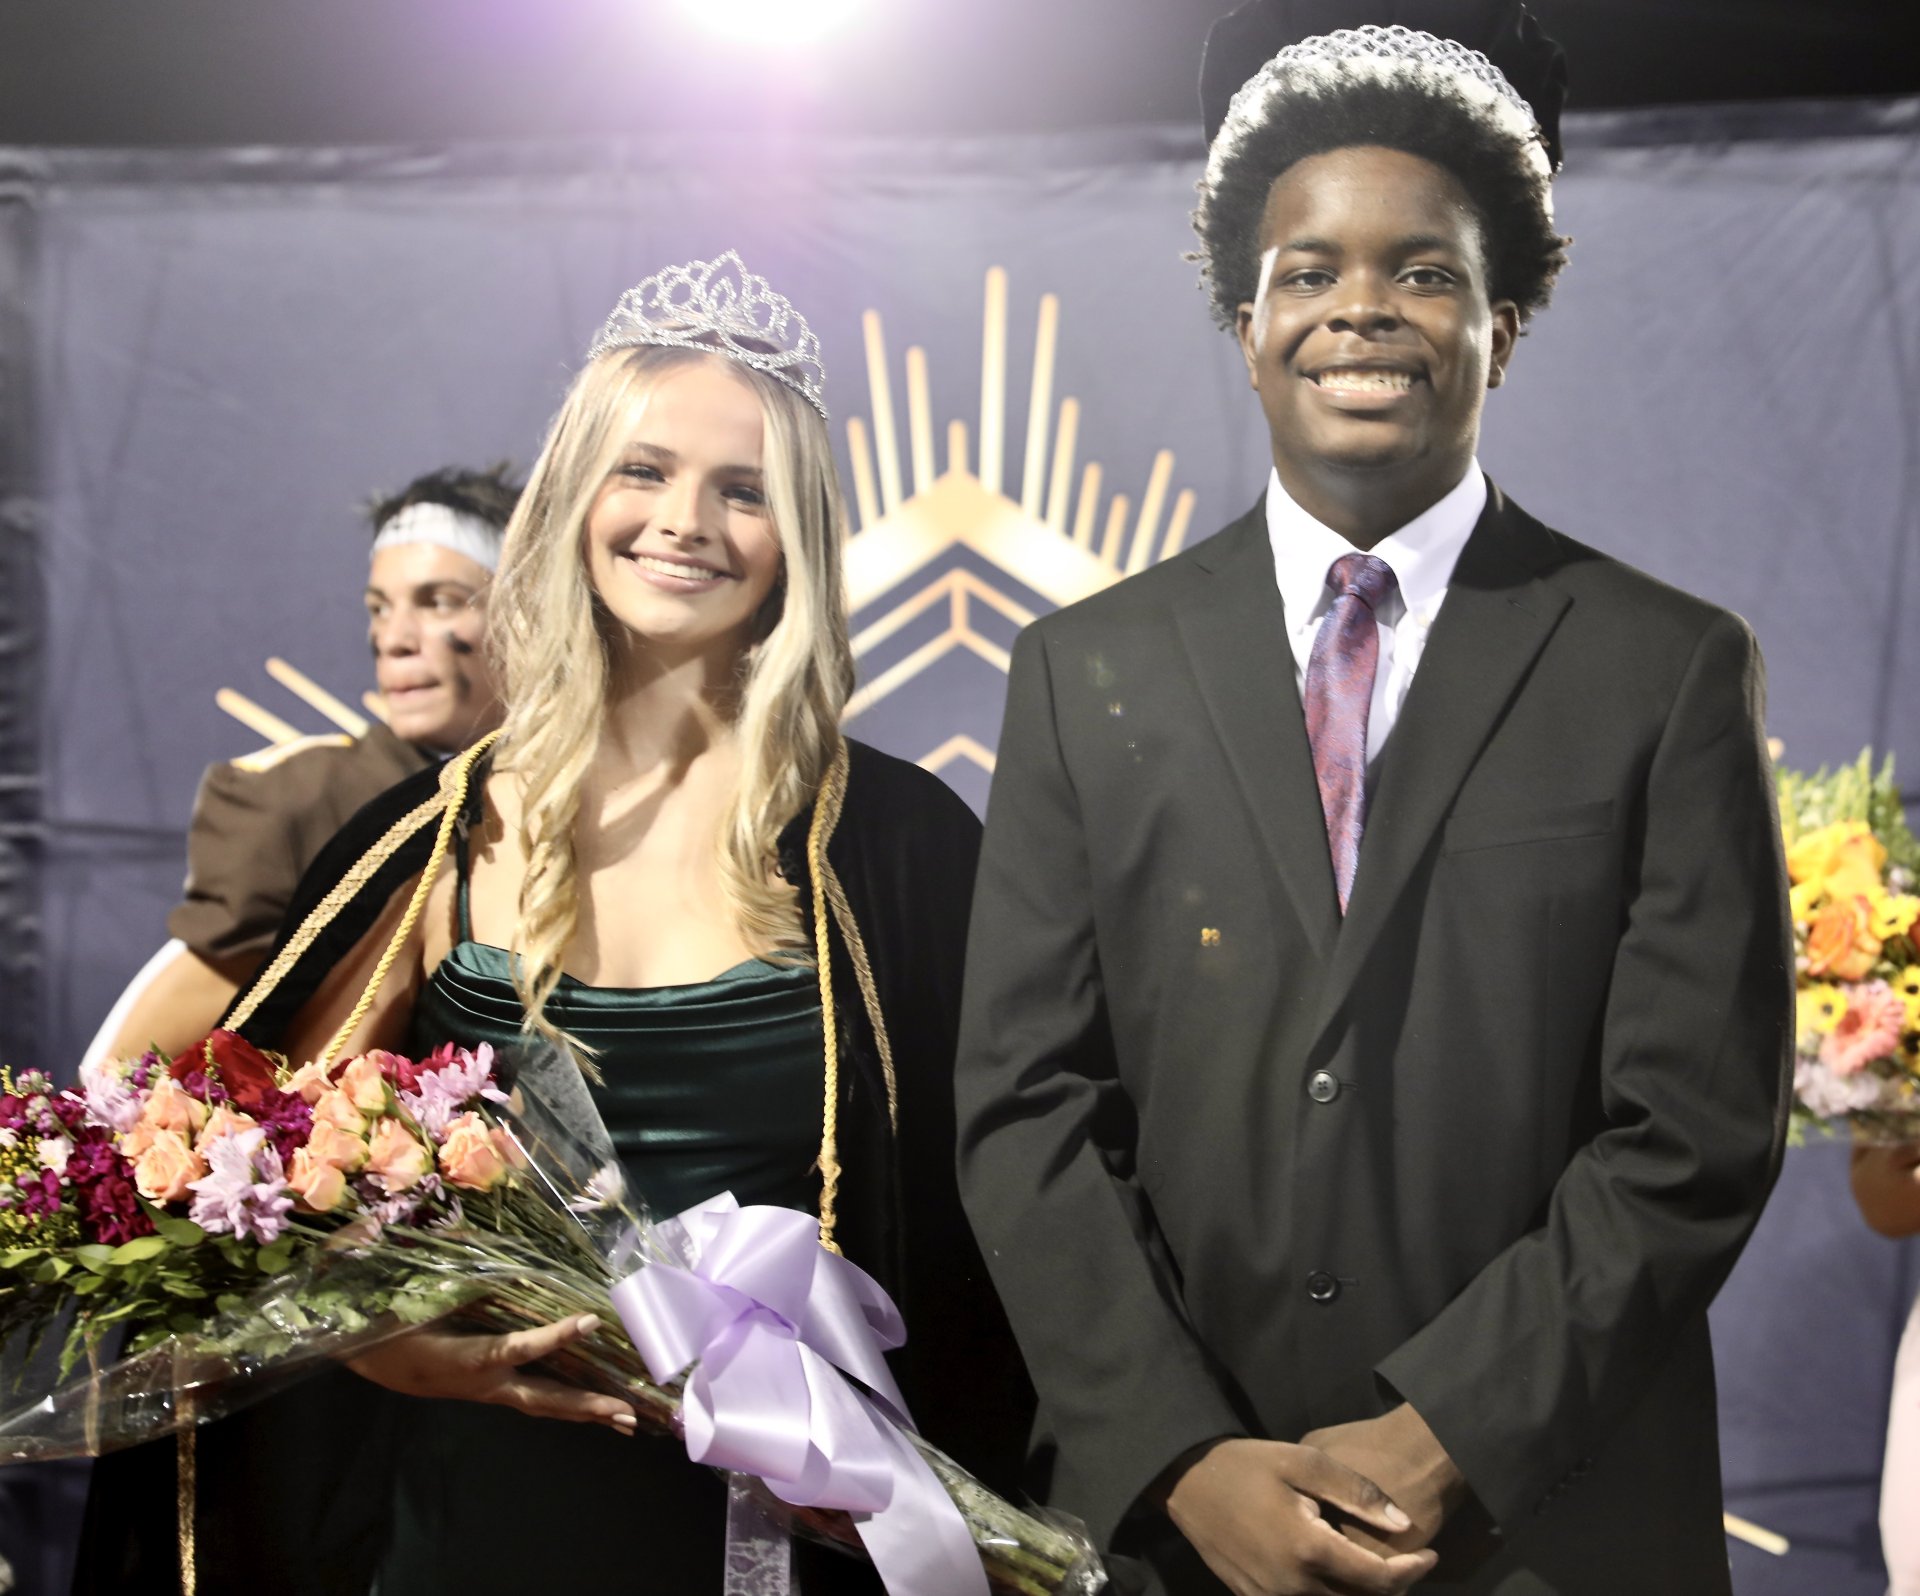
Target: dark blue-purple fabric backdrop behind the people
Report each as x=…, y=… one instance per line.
x=210, y=358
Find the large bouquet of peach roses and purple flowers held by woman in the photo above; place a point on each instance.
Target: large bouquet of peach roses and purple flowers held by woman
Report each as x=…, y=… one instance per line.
x=241, y=1221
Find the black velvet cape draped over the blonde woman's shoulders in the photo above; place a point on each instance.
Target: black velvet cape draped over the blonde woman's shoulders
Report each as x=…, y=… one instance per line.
x=291, y=1493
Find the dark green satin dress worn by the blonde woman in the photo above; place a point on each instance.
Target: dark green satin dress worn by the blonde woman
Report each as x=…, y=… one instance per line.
x=708, y=1088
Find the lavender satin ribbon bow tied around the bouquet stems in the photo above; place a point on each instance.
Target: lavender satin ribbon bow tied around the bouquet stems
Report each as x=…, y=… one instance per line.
x=777, y=1332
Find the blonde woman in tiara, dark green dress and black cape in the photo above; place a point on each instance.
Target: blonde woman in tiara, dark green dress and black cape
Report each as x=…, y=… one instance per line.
x=748, y=929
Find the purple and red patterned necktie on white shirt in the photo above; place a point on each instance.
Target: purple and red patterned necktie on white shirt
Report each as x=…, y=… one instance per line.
x=1347, y=650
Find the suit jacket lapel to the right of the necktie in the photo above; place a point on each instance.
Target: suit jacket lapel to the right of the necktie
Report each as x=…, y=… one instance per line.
x=1495, y=623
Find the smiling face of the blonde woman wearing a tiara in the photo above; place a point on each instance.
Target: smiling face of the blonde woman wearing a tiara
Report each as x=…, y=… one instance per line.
x=681, y=543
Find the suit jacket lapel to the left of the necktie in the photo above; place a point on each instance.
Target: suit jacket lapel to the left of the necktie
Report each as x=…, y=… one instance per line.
x=1234, y=629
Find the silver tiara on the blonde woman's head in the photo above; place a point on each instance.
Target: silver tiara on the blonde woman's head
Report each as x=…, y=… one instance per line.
x=725, y=308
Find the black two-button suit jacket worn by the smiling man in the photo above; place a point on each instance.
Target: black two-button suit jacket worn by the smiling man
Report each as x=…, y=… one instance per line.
x=1487, y=1146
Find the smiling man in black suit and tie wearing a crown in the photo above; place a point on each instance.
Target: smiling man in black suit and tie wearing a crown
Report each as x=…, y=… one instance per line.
x=1378, y=1036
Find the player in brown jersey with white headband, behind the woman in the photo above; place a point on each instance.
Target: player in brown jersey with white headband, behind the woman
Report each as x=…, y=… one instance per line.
x=260, y=821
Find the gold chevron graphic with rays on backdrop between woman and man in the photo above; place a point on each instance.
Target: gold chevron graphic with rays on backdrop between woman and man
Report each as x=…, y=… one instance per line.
x=1030, y=539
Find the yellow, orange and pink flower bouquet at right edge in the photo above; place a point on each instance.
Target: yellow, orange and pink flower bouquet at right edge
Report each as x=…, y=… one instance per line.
x=1854, y=869
